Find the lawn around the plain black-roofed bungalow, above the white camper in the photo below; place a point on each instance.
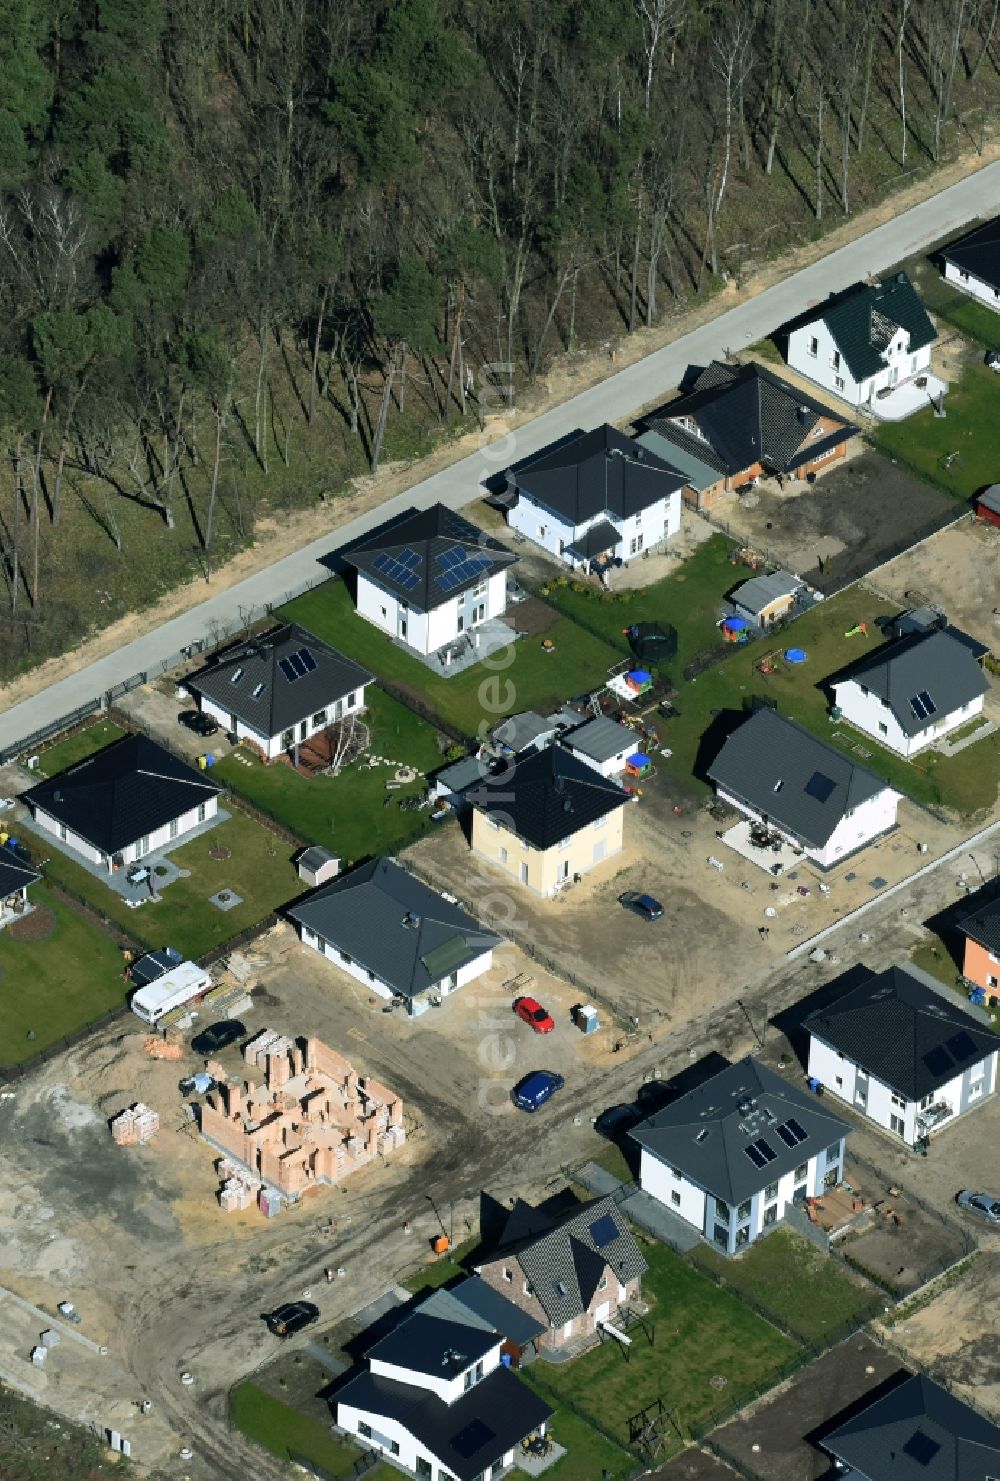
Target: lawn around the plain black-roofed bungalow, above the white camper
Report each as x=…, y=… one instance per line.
x=259, y=869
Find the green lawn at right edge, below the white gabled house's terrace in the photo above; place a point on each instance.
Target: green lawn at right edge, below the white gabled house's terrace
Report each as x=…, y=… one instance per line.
x=971, y=429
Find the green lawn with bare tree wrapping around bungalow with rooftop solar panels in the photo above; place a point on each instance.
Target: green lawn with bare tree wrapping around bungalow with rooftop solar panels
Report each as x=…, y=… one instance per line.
x=346, y=814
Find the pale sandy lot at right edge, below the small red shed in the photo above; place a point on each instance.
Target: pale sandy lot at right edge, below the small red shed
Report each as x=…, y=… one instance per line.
x=958, y=569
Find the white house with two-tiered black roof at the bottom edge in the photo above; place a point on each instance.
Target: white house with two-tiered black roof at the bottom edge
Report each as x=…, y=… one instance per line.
x=436, y=1399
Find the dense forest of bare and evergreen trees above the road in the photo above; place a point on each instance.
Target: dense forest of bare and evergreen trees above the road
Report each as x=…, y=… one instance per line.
x=254, y=248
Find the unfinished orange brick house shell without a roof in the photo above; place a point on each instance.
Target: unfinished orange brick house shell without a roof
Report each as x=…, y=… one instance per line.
x=313, y=1120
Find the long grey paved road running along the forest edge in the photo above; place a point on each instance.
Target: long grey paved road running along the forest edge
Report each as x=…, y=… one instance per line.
x=608, y=402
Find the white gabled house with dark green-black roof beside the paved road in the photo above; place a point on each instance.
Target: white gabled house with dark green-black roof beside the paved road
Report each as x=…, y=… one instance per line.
x=870, y=338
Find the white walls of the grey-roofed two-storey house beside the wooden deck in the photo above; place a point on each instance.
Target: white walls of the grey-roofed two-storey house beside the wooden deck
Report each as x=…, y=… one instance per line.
x=733, y=1228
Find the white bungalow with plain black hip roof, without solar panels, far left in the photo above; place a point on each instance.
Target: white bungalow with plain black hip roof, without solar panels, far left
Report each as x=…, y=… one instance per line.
x=124, y=803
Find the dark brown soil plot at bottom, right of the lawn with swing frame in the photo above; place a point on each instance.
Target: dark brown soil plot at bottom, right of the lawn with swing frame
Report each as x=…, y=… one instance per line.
x=770, y=1439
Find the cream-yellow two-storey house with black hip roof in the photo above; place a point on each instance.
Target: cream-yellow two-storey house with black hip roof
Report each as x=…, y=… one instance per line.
x=546, y=818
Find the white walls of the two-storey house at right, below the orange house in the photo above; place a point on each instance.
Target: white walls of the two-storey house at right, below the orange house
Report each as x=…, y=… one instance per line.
x=875, y=1100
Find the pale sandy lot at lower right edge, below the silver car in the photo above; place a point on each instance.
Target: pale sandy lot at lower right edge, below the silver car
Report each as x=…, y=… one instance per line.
x=956, y=1335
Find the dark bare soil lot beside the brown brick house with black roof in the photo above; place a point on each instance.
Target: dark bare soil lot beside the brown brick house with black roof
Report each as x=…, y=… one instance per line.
x=856, y=518
